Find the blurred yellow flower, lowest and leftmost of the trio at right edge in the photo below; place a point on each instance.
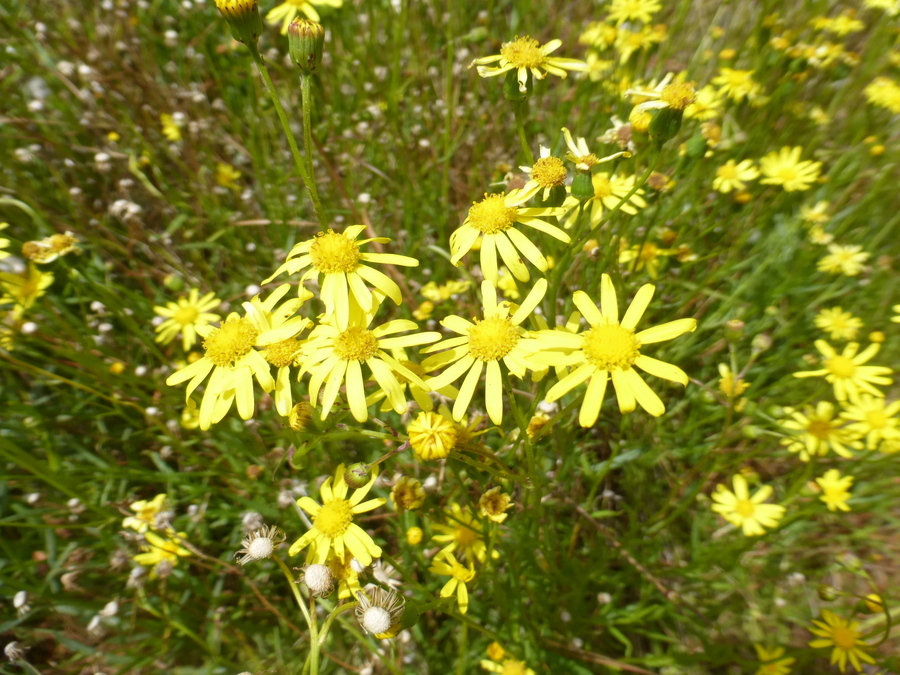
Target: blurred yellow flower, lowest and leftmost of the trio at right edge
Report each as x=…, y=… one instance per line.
x=816, y=431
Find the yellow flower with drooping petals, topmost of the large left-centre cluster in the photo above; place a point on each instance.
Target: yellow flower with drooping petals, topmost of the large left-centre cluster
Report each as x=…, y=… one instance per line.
x=337, y=257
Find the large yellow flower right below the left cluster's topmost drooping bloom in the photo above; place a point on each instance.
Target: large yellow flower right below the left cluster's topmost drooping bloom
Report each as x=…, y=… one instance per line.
x=336, y=349
